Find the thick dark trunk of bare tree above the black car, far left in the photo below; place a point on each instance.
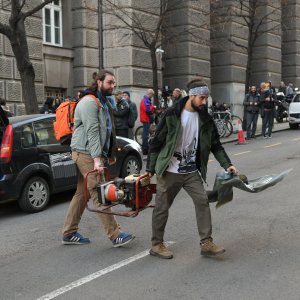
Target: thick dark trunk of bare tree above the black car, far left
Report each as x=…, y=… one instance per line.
x=15, y=31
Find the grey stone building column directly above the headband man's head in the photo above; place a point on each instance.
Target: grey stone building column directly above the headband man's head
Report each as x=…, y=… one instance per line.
x=187, y=54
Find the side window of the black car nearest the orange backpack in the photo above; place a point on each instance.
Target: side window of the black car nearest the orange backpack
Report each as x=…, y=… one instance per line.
x=44, y=132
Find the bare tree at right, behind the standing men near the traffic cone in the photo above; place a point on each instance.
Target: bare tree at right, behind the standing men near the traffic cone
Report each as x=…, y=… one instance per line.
x=259, y=17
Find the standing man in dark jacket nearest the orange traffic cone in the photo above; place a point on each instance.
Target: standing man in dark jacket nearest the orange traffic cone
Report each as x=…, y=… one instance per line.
x=252, y=105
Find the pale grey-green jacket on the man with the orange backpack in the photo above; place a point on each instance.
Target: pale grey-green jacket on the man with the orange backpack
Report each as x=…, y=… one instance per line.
x=90, y=128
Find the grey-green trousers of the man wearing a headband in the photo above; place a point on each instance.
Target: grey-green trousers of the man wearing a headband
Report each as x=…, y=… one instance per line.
x=168, y=186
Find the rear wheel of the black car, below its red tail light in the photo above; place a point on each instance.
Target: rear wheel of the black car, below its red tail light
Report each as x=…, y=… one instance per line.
x=35, y=195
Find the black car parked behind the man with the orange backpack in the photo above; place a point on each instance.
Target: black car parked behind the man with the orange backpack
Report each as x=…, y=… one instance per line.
x=34, y=165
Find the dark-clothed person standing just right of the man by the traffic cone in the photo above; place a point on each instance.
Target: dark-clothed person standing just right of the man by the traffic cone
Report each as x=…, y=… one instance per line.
x=268, y=102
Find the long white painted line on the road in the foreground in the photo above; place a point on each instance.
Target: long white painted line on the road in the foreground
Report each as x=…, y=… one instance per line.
x=96, y=275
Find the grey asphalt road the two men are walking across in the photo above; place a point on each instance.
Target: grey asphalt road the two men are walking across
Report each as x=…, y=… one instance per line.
x=259, y=231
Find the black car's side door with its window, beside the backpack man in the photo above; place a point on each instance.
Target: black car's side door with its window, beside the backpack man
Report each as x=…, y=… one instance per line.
x=55, y=155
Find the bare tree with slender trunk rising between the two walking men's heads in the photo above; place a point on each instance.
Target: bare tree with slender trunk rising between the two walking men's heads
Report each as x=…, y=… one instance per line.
x=149, y=21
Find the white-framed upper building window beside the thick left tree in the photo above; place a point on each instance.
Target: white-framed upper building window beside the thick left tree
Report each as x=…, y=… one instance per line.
x=52, y=21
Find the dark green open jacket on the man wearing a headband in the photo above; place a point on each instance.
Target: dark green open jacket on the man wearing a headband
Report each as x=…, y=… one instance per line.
x=162, y=147
